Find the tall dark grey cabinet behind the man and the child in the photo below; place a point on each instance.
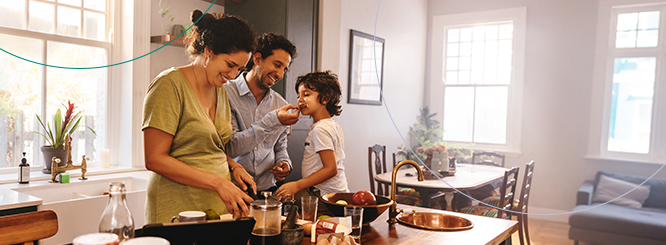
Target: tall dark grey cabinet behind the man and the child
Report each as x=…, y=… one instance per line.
x=298, y=21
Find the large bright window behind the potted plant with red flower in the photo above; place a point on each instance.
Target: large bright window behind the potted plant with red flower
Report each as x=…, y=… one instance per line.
x=69, y=33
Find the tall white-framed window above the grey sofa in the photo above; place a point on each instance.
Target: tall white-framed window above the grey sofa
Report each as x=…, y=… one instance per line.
x=632, y=106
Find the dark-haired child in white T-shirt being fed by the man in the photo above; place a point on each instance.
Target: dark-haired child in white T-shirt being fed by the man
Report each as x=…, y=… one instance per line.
x=318, y=96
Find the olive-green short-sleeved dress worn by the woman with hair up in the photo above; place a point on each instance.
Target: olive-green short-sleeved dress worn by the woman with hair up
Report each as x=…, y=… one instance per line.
x=171, y=106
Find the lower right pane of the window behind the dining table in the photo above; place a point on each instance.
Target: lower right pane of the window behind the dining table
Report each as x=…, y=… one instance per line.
x=490, y=115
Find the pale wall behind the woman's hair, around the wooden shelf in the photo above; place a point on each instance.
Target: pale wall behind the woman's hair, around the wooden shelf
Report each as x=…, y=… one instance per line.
x=172, y=56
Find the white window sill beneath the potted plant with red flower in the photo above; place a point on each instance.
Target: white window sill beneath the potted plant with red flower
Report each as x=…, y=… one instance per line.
x=92, y=171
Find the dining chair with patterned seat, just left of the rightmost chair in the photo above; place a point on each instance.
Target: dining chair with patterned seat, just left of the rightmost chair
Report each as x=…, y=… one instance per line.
x=504, y=202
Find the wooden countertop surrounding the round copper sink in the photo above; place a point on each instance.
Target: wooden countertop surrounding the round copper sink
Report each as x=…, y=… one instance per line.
x=485, y=231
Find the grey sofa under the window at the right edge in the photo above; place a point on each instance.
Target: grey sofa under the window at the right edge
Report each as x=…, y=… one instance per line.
x=594, y=223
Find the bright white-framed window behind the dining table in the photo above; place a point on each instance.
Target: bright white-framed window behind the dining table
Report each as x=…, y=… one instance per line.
x=477, y=73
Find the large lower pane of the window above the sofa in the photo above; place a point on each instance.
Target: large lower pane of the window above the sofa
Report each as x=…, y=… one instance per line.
x=631, y=105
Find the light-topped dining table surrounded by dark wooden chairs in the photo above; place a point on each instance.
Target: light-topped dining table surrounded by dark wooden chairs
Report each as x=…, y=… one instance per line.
x=467, y=177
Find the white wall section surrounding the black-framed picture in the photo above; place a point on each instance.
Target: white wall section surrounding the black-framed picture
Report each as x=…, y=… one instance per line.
x=404, y=69
